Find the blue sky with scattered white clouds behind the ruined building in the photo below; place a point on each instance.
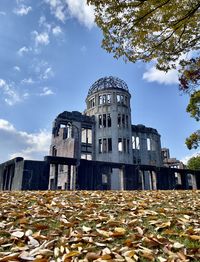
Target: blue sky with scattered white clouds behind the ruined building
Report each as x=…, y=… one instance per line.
x=50, y=55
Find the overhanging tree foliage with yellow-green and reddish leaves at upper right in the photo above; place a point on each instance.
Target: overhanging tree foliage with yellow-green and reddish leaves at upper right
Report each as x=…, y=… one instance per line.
x=162, y=31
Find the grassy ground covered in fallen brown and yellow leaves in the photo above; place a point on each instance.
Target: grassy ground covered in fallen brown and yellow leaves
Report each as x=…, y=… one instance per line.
x=100, y=226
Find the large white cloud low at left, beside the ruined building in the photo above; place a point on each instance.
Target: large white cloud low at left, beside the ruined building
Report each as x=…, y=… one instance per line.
x=19, y=143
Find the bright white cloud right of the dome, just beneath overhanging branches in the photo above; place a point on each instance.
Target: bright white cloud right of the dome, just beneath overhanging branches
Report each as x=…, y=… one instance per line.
x=155, y=75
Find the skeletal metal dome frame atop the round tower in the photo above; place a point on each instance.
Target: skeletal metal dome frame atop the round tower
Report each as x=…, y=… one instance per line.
x=107, y=83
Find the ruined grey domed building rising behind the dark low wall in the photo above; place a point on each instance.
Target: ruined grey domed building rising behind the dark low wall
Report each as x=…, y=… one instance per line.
x=104, y=133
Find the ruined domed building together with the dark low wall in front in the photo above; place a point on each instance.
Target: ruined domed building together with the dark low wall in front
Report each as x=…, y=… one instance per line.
x=100, y=149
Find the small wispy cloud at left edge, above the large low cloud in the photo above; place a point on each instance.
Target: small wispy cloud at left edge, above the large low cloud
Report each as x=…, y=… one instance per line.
x=11, y=95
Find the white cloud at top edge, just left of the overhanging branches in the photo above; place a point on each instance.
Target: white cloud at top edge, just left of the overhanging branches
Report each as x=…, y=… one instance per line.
x=78, y=9
